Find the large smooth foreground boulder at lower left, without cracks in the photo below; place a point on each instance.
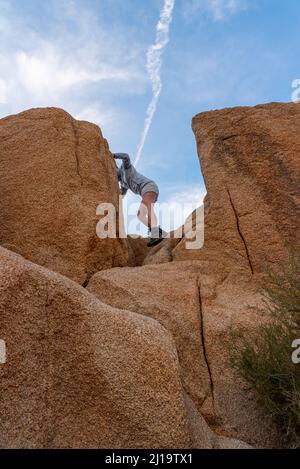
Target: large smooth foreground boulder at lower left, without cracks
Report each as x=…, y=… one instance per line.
x=82, y=374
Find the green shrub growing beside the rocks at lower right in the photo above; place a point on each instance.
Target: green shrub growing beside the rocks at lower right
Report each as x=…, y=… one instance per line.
x=264, y=359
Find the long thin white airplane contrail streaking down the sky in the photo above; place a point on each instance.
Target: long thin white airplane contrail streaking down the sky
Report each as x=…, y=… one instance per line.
x=154, y=63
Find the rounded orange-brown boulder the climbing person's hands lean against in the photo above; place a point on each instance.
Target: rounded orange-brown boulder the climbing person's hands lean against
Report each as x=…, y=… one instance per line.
x=54, y=173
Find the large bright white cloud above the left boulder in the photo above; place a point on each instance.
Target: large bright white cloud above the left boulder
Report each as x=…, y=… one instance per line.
x=74, y=62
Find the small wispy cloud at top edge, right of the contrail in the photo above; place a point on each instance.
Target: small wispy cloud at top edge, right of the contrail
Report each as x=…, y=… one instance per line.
x=219, y=10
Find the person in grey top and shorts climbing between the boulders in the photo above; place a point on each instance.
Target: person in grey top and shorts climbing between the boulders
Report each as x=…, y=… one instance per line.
x=129, y=178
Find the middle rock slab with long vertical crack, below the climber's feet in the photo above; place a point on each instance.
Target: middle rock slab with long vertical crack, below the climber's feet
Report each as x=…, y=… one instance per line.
x=200, y=311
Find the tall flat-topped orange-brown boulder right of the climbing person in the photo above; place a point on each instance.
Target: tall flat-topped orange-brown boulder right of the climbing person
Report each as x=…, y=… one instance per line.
x=250, y=162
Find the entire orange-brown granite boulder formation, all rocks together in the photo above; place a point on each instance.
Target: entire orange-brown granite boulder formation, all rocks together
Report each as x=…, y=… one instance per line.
x=140, y=357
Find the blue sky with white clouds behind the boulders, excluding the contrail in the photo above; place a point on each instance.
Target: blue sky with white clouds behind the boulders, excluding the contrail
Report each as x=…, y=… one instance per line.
x=89, y=57
